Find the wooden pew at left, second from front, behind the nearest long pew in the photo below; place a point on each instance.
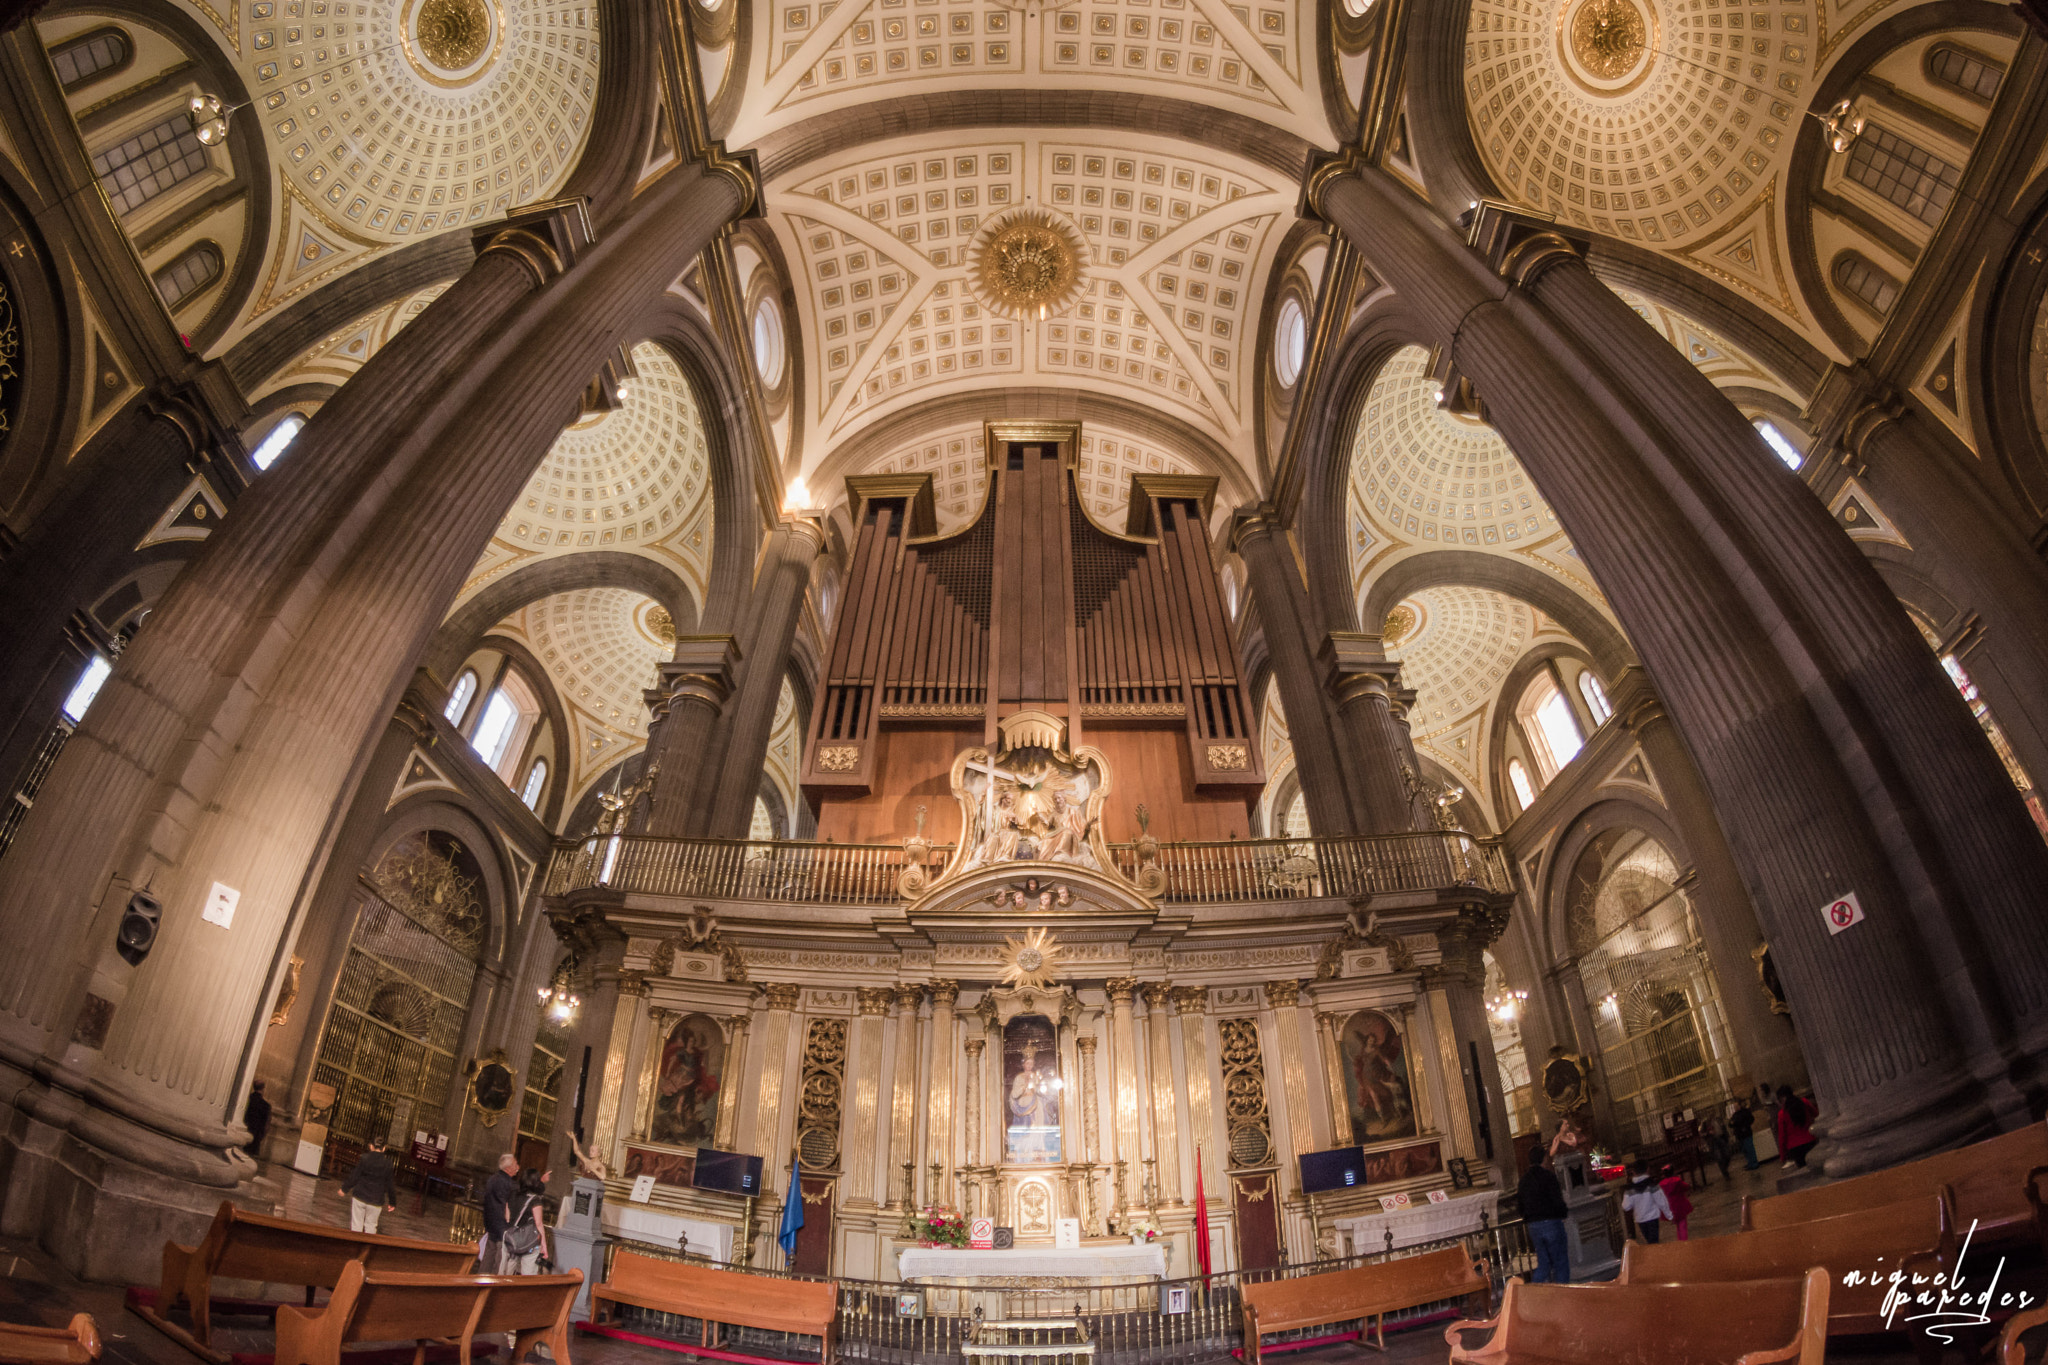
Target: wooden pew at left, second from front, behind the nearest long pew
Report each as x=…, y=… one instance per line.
x=288, y=1253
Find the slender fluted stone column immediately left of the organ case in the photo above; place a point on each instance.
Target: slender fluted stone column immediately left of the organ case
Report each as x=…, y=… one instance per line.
x=773, y=615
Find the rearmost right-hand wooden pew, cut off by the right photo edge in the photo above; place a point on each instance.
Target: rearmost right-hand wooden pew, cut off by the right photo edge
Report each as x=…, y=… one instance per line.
x=1996, y=1186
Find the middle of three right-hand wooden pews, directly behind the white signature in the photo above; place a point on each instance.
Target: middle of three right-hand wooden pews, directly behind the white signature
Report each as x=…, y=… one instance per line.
x=1859, y=1249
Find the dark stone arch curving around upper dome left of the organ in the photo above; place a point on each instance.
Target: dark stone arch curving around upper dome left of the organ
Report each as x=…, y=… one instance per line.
x=722, y=404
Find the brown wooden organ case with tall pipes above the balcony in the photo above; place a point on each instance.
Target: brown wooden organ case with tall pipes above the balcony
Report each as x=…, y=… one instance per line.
x=1033, y=607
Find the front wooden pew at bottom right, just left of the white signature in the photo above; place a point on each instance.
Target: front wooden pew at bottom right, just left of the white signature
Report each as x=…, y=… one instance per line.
x=1740, y=1323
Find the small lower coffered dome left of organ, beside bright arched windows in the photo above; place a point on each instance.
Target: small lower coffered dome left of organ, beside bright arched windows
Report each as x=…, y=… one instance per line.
x=601, y=648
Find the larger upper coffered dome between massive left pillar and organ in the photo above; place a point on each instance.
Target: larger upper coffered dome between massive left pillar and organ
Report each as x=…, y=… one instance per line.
x=630, y=480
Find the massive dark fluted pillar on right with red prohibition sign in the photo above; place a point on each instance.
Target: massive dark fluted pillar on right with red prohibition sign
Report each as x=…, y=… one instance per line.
x=1836, y=754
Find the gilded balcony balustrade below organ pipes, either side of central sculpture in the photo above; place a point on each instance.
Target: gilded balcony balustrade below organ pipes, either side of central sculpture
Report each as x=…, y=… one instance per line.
x=1226, y=873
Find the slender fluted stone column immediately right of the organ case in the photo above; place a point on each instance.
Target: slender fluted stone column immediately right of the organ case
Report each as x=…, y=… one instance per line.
x=1283, y=607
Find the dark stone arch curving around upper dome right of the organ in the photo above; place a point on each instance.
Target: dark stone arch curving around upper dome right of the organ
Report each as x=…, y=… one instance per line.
x=1326, y=478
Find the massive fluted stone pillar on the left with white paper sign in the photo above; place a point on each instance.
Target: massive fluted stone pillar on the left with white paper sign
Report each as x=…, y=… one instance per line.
x=241, y=715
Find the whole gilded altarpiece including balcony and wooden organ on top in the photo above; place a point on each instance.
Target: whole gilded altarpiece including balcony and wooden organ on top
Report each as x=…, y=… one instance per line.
x=1033, y=969
